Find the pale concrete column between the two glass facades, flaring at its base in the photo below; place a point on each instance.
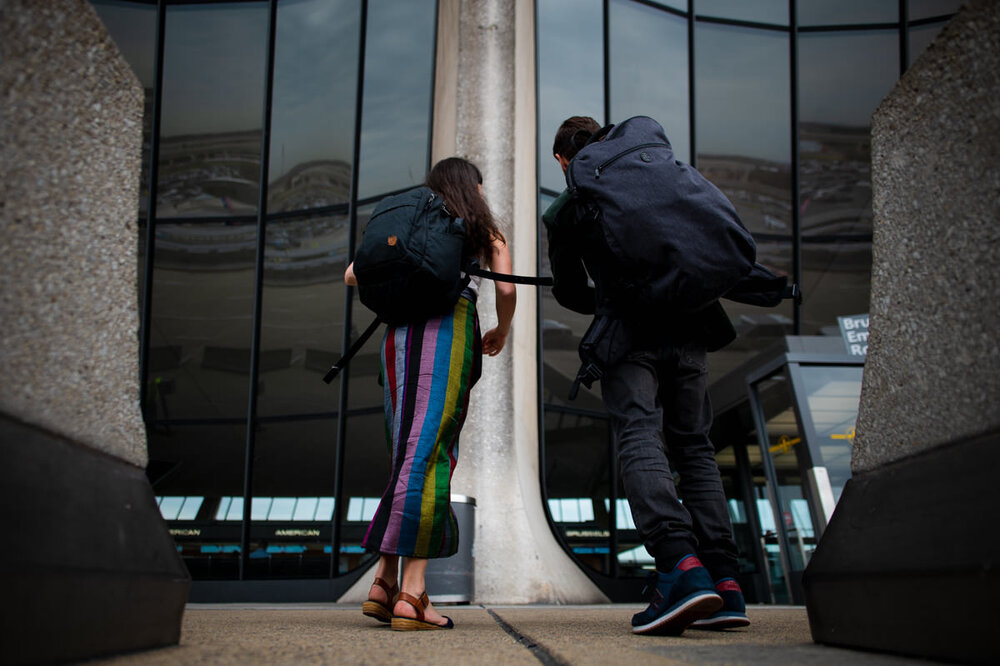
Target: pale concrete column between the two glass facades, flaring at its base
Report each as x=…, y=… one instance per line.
x=485, y=112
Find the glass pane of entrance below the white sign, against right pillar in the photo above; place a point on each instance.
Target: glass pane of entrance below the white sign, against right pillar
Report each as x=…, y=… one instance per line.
x=832, y=395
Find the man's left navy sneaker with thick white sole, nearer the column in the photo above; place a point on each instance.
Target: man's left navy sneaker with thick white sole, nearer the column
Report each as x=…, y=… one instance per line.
x=682, y=596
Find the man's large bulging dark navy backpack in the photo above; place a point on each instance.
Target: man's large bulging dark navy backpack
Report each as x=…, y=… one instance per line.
x=677, y=241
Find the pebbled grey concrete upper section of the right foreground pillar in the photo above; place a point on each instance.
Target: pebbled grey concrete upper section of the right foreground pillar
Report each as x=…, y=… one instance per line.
x=933, y=369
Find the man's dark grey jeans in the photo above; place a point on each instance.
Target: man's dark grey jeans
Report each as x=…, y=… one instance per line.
x=660, y=400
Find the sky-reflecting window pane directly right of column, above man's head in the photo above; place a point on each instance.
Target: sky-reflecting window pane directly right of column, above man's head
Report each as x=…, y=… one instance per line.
x=570, y=74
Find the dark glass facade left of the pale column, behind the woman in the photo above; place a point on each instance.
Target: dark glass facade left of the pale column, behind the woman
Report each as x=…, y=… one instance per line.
x=246, y=307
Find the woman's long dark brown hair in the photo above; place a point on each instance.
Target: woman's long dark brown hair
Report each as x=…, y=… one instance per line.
x=458, y=181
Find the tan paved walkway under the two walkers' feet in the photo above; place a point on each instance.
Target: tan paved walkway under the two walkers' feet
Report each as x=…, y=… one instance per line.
x=495, y=635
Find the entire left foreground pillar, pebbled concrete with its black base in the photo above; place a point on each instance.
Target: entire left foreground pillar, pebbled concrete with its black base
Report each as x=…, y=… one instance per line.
x=87, y=566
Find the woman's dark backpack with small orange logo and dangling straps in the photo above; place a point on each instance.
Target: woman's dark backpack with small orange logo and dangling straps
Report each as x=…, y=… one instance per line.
x=410, y=264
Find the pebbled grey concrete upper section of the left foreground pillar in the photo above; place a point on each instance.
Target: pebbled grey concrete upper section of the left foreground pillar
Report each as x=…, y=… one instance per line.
x=70, y=141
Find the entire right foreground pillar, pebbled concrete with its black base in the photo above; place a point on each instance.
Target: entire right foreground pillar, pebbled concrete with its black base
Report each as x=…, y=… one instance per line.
x=910, y=562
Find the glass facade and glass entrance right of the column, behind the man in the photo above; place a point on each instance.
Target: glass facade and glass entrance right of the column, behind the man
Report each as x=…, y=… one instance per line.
x=772, y=102
